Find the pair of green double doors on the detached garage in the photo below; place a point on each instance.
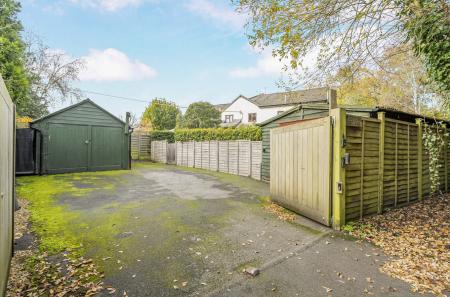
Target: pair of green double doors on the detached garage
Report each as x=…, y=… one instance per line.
x=74, y=148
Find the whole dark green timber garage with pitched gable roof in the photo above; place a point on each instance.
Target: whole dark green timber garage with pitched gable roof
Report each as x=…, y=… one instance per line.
x=83, y=137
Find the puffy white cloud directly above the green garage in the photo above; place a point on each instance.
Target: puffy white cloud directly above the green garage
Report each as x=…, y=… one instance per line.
x=113, y=65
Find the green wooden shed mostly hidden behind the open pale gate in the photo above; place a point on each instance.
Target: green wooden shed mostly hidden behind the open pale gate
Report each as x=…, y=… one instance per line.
x=297, y=114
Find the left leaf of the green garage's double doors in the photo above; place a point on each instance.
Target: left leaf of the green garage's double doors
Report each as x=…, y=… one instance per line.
x=67, y=148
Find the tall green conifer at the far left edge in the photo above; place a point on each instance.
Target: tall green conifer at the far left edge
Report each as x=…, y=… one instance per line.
x=12, y=54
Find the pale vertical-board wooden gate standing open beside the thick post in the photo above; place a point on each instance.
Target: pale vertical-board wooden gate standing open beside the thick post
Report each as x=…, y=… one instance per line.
x=300, y=166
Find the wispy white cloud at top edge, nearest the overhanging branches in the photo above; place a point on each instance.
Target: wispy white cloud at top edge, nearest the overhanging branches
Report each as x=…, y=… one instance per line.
x=219, y=13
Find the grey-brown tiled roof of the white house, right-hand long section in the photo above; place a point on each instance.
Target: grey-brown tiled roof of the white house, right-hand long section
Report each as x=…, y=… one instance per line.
x=290, y=98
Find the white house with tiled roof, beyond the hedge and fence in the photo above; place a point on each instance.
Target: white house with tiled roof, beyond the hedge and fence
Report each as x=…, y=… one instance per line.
x=262, y=107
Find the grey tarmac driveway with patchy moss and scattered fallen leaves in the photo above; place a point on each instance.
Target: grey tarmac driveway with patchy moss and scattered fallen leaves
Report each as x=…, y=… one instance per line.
x=169, y=231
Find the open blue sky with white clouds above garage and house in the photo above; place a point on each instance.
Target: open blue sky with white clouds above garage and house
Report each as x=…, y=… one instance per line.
x=181, y=50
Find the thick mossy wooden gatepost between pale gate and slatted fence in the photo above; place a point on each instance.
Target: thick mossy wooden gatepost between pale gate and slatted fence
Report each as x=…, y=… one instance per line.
x=338, y=176
